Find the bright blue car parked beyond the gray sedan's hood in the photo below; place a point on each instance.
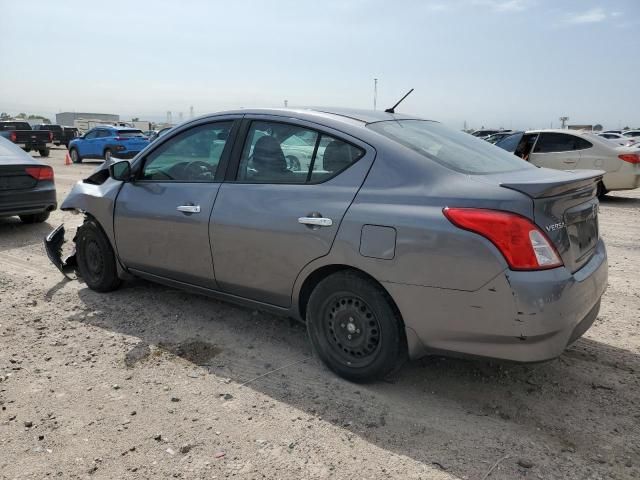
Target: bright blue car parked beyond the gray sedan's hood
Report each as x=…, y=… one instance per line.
x=106, y=141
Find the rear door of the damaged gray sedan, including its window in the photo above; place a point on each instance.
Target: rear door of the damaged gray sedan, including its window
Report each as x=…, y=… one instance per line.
x=283, y=207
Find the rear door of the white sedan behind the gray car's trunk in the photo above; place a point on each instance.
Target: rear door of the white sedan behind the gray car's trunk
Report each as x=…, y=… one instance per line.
x=556, y=150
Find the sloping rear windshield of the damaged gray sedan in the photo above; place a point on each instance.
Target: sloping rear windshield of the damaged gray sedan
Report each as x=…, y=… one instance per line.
x=458, y=151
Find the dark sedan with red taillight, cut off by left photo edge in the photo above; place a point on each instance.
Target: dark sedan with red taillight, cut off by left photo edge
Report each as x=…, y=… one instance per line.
x=27, y=188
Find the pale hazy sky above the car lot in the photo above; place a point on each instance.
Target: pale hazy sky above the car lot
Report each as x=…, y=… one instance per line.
x=510, y=63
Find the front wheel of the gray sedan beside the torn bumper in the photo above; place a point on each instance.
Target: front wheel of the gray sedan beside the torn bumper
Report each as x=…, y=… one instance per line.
x=95, y=258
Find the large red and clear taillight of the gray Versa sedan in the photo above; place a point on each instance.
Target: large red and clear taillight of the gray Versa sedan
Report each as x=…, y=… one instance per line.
x=523, y=245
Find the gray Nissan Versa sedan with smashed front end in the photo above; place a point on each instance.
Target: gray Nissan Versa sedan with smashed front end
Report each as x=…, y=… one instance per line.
x=398, y=238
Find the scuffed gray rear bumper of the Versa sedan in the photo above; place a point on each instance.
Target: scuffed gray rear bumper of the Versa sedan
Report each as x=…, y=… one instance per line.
x=518, y=316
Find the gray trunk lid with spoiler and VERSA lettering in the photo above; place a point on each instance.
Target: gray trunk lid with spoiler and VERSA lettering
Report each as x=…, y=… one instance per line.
x=565, y=208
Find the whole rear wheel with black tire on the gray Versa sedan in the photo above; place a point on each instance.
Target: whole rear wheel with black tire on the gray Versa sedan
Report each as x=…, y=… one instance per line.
x=354, y=327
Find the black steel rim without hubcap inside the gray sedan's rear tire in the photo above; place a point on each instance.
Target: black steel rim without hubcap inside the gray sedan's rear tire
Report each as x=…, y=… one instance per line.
x=352, y=330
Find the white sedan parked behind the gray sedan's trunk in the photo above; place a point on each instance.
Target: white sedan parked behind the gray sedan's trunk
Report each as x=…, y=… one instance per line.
x=576, y=150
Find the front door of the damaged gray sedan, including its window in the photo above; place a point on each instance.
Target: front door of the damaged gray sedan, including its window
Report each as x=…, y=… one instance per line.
x=162, y=218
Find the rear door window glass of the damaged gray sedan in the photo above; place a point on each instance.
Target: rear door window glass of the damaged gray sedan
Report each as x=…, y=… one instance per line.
x=283, y=153
